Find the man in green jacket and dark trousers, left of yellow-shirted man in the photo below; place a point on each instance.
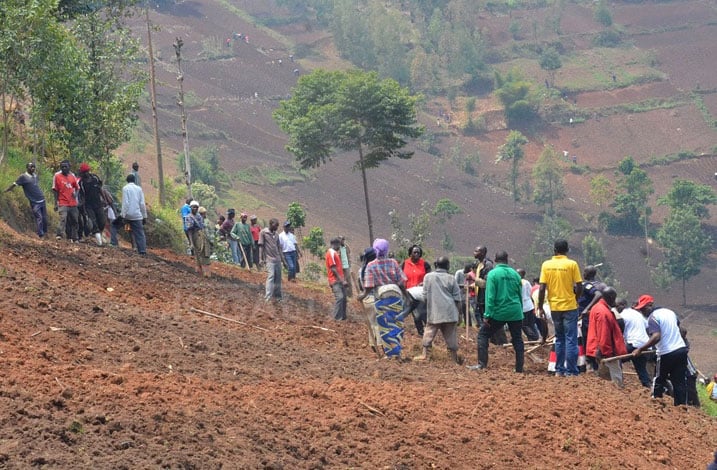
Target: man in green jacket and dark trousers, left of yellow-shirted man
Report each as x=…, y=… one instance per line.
x=503, y=305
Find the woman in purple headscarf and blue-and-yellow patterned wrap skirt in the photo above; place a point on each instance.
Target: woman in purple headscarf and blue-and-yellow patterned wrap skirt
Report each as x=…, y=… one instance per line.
x=384, y=279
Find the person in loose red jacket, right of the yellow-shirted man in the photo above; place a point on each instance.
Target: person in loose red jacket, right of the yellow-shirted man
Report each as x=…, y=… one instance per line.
x=604, y=337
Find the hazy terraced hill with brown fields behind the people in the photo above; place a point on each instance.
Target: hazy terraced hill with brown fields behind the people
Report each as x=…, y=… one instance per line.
x=662, y=102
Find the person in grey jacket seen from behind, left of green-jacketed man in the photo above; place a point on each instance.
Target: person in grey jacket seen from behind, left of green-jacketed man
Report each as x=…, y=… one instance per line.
x=443, y=299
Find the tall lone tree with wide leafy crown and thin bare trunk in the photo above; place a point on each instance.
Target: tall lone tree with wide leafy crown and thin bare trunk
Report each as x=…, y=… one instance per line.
x=331, y=112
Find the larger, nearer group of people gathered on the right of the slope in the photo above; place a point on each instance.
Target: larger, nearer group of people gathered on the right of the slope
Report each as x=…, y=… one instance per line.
x=586, y=316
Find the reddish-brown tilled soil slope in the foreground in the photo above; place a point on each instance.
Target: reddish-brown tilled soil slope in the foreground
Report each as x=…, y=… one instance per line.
x=107, y=365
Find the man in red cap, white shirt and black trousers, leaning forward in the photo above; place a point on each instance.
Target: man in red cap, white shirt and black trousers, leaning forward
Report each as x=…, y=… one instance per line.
x=663, y=328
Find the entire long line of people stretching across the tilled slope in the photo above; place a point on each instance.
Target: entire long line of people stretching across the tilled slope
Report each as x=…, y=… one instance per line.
x=589, y=321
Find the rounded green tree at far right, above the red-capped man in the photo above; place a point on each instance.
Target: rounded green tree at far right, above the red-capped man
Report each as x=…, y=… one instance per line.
x=686, y=246
